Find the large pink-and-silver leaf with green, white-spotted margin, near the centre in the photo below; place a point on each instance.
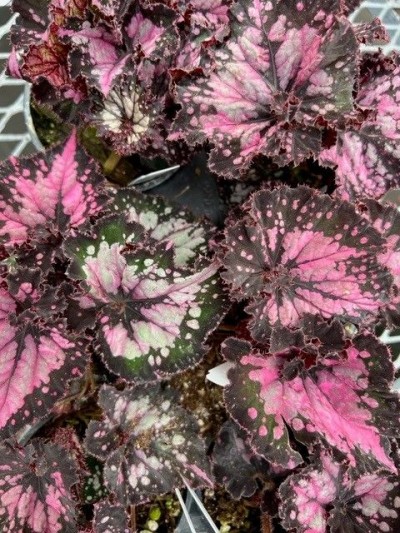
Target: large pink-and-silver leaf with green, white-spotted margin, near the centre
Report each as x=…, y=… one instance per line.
x=153, y=317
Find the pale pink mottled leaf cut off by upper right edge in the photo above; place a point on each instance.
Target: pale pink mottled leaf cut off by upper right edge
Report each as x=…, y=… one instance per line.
x=367, y=157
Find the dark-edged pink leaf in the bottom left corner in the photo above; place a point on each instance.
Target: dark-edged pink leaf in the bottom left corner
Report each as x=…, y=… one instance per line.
x=35, y=485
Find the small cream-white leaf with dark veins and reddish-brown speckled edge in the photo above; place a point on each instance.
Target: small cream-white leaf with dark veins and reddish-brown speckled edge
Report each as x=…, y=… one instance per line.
x=130, y=116
